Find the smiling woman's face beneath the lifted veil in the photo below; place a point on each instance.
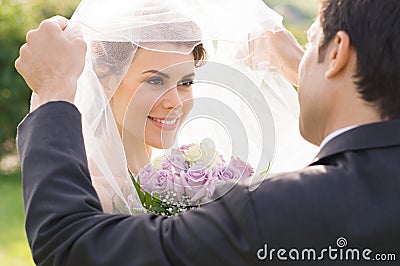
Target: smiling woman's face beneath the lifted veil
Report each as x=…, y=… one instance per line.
x=154, y=97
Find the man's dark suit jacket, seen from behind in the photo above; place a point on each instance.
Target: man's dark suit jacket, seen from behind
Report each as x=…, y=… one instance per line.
x=350, y=191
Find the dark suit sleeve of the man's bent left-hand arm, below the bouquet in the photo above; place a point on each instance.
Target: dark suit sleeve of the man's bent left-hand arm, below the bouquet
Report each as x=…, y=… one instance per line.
x=65, y=224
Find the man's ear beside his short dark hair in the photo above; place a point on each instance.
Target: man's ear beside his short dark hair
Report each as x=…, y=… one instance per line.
x=339, y=54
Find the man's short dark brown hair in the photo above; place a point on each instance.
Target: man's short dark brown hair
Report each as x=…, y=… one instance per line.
x=374, y=29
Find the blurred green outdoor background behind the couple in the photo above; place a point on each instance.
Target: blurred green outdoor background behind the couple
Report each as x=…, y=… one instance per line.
x=16, y=18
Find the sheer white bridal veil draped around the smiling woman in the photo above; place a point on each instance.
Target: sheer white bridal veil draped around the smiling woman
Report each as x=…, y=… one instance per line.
x=113, y=29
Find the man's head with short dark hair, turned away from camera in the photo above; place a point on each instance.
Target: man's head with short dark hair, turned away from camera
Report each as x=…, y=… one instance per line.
x=350, y=73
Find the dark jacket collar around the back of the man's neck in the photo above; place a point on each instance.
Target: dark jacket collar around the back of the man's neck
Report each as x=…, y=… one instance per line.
x=370, y=136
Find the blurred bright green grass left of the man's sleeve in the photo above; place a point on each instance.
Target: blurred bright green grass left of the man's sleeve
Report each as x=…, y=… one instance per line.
x=14, y=249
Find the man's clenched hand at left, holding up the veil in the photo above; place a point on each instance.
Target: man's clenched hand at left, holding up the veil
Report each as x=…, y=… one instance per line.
x=50, y=62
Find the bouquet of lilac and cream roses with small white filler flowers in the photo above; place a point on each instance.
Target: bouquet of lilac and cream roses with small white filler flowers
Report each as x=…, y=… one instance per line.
x=186, y=178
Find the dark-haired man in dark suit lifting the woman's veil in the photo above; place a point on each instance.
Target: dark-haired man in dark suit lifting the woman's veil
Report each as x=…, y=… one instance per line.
x=342, y=209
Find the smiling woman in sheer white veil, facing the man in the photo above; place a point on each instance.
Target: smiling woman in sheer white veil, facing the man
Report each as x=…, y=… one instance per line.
x=139, y=89
